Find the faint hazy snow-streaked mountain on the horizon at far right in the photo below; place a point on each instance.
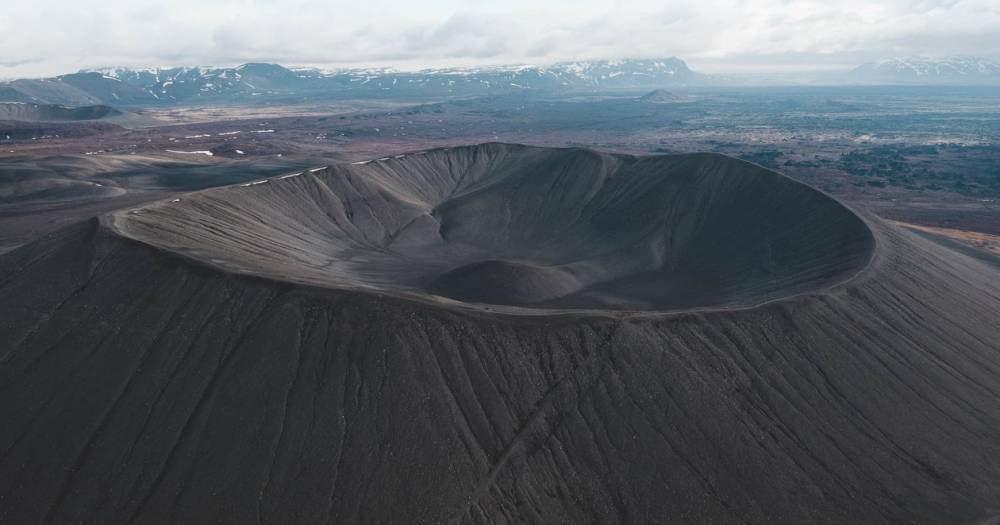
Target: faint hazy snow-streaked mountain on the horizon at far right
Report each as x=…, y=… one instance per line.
x=925, y=70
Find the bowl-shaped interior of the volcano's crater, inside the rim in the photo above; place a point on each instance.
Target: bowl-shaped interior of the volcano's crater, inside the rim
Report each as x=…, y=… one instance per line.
x=523, y=226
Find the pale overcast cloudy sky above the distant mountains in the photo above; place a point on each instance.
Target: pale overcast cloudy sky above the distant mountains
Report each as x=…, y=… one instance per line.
x=47, y=37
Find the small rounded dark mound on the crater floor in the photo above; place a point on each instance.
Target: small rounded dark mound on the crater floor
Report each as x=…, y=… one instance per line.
x=505, y=283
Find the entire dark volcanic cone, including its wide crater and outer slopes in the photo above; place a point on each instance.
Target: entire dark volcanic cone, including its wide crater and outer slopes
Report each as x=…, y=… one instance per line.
x=494, y=334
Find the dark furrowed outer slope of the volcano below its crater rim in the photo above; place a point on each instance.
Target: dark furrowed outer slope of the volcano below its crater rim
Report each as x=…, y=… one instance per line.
x=140, y=384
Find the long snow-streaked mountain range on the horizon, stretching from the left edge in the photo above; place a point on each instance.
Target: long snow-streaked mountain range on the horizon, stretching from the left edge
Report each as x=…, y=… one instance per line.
x=136, y=87
